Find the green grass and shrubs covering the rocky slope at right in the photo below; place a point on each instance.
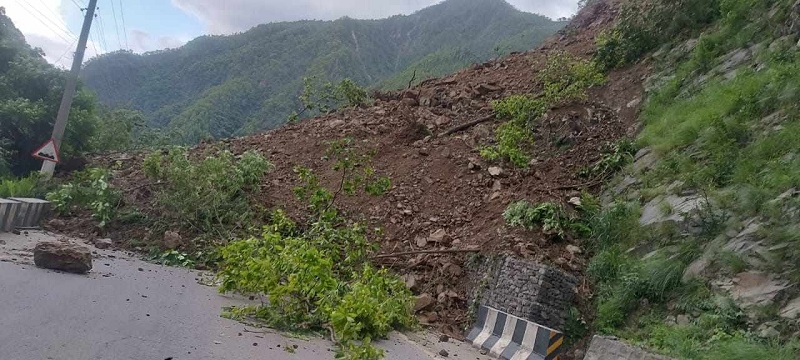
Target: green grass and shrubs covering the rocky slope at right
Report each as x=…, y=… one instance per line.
x=721, y=128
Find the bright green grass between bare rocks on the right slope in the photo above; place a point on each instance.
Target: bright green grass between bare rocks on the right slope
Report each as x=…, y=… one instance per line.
x=735, y=141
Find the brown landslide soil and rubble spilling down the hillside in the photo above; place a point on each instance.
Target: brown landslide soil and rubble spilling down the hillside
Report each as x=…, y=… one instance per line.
x=434, y=185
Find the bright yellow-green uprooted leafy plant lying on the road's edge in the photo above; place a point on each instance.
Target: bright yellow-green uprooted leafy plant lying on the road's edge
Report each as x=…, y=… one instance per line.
x=317, y=275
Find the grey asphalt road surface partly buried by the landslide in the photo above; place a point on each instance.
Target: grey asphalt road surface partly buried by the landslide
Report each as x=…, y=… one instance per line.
x=130, y=309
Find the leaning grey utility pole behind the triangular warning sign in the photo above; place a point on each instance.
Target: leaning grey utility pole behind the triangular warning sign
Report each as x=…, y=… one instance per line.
x=48, y=167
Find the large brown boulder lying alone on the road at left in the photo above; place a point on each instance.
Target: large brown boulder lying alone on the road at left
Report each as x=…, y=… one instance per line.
x=62, y=256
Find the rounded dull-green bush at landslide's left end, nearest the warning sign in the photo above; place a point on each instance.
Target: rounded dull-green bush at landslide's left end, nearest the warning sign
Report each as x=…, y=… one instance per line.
x=210, y=195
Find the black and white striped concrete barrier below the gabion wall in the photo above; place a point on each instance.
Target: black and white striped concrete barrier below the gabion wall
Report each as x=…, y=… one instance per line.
x=511, y=338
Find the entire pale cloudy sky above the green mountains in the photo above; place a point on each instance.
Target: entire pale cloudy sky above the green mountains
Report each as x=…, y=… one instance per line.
x=148, y=25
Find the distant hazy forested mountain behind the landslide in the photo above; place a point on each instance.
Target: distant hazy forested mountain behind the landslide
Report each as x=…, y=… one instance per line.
x=218, y=86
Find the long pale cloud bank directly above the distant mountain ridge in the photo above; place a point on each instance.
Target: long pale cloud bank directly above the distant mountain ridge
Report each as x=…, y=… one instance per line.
x=224, y=17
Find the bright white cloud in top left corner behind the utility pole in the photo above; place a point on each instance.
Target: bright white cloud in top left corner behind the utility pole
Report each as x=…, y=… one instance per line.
x=44, y=27
